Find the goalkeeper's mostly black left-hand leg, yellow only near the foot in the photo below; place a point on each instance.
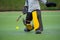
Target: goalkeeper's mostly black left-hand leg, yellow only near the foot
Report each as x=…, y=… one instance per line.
x=27, y=22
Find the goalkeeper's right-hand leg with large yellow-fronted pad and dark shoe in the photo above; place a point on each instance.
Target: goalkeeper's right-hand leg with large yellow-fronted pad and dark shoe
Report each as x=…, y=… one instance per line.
x=37, y=21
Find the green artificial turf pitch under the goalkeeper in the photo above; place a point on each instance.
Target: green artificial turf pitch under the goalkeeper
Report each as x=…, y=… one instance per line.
x=51, y=25
